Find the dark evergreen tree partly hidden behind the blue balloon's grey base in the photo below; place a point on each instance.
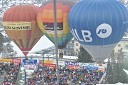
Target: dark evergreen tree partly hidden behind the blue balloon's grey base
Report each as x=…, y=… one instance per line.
x=84, y=56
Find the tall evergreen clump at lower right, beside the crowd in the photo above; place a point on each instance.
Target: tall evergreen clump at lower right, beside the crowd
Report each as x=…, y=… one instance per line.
x=115, y=71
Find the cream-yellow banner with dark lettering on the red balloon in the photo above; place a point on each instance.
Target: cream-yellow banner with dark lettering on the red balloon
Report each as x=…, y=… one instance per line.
x=17, y=25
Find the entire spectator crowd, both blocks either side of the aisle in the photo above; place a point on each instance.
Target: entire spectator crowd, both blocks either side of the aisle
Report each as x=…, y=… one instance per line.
x=49, y=76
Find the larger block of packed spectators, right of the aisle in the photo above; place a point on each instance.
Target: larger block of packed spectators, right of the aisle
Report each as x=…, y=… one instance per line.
x=66, y=76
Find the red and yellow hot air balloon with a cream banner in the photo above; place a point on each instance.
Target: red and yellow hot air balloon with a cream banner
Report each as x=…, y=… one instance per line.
x=21, y=26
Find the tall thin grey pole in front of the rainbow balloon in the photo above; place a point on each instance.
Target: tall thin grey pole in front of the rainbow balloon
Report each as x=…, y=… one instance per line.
x=56, y=43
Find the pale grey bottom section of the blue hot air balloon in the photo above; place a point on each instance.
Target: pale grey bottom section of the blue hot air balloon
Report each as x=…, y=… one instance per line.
x=99, y=53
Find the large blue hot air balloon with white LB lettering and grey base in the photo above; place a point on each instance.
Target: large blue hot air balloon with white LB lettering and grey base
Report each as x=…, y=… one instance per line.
x=98, y=25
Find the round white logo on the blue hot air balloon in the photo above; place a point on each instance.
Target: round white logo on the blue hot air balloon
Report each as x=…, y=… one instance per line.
x=104, y=30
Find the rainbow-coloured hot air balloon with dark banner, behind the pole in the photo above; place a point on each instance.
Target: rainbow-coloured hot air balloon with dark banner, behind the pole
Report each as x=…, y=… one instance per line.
x=45, y=19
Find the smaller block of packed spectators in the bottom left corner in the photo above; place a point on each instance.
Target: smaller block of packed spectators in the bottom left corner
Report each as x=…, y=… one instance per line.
x=11, y=72
